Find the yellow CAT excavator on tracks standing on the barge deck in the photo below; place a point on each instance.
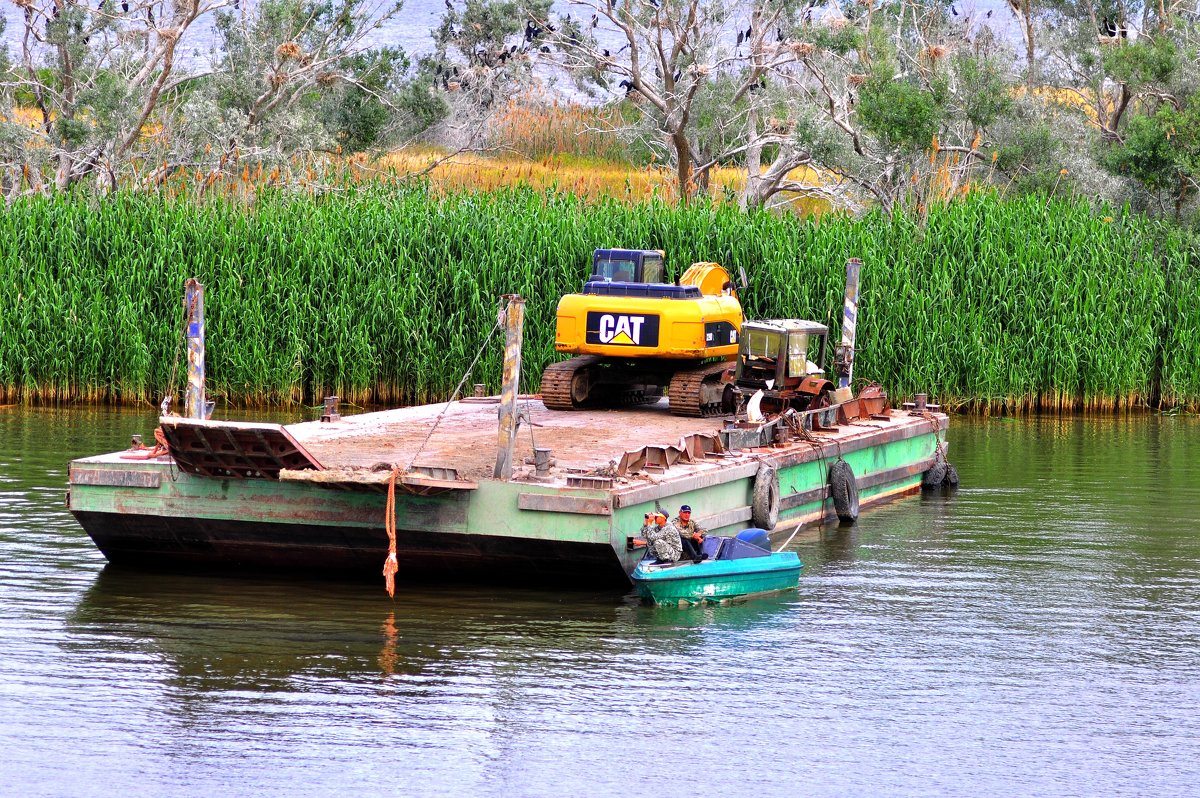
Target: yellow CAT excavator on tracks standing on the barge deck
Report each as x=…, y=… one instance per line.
x=635, y=335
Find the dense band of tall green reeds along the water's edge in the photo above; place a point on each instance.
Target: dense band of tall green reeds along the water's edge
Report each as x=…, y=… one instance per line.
x=385, y=296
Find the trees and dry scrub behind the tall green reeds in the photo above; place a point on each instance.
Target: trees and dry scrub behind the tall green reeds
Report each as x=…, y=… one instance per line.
x=847, y=105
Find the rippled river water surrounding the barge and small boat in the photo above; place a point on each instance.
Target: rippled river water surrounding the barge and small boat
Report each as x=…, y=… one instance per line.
x=1036, y=634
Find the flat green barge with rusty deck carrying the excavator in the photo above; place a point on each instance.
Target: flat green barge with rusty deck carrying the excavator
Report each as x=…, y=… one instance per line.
x=314, y=496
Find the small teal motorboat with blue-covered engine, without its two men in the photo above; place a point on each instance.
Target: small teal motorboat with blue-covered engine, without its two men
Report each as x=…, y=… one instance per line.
x=734, y=568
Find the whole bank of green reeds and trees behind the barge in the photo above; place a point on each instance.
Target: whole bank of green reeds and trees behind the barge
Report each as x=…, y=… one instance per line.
x=356, y=212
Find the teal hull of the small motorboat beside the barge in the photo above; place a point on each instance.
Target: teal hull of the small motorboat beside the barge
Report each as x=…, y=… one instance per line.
x=717, y=580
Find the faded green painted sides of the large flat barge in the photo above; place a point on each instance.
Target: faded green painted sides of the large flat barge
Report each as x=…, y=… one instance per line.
x=182, y=502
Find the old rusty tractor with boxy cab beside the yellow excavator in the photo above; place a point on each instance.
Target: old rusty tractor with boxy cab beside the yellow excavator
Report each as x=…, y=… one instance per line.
x=782, y=358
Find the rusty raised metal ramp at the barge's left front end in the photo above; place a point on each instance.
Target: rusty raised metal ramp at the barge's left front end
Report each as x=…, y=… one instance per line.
x=235, y=449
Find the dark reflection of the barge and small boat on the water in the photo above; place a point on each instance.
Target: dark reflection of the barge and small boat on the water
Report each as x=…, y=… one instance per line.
x=220, y=634
